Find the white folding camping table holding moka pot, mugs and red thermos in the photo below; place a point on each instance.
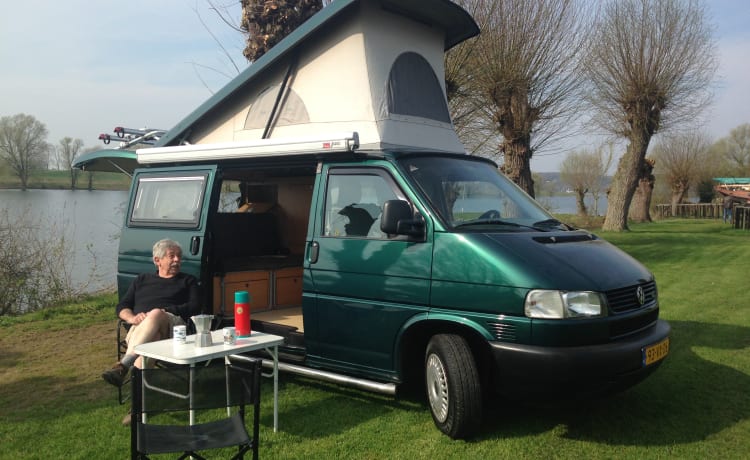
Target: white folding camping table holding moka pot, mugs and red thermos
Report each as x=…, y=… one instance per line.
x=187, y=353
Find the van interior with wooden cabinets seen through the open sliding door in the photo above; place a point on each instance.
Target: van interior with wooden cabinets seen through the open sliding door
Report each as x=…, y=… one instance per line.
x=257, y=231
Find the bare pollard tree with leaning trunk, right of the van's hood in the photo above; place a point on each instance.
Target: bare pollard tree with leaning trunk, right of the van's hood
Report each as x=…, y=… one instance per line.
x=650, y=65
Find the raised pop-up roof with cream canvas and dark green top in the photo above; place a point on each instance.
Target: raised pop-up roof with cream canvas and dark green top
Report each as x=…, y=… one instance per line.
x=370, y=67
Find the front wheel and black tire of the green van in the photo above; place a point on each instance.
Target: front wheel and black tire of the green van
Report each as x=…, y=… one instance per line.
x=453, y=386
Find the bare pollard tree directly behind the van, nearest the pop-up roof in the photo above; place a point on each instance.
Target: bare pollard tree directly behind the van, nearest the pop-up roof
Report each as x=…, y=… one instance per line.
x=524, y=69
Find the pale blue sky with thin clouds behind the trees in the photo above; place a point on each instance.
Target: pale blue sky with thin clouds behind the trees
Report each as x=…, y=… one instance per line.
x=84, y=67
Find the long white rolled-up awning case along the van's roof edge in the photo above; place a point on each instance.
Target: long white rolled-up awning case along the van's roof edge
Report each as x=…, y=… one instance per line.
x=315, y=145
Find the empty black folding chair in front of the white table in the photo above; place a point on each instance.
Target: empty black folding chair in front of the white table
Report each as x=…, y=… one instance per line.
x=177, y=390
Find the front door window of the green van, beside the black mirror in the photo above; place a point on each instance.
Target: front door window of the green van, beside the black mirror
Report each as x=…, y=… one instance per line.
x=354, y=203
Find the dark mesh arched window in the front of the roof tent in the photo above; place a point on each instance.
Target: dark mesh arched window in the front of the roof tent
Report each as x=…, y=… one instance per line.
x=413, y=89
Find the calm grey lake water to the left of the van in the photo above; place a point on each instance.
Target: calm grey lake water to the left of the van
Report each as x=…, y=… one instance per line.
x=91, y=220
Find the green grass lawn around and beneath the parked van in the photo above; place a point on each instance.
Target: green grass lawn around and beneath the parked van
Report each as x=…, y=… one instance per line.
x=695, y=406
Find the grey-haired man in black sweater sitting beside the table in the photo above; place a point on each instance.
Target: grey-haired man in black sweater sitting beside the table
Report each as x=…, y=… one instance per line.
x=153, y=305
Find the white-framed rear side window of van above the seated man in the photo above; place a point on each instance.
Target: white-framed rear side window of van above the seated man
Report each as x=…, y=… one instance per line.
x=168, y=201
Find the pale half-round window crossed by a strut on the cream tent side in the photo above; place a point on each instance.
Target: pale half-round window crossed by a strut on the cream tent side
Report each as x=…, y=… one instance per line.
x=293, y=110
